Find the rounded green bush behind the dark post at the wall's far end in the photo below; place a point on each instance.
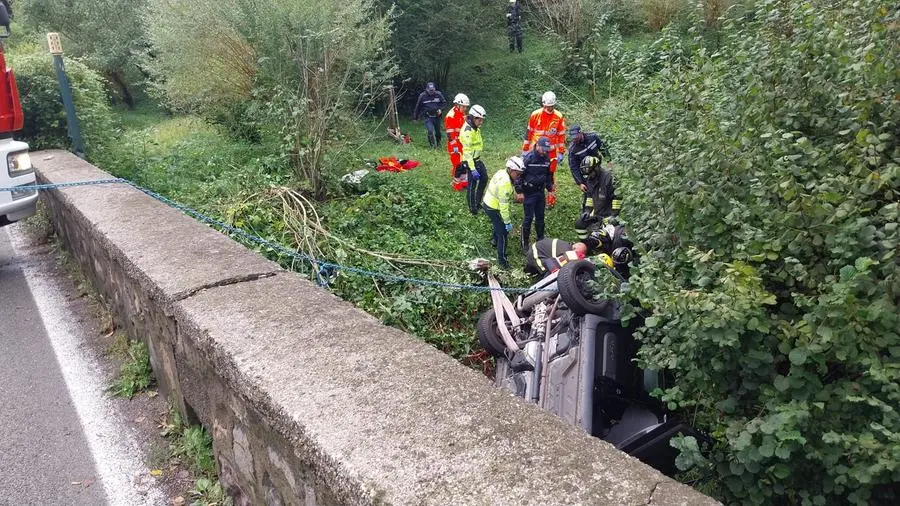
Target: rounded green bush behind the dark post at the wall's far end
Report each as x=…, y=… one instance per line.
x=45, y=116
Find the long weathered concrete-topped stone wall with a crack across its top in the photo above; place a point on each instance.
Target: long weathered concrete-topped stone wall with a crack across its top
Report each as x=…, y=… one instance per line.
x=311, y=401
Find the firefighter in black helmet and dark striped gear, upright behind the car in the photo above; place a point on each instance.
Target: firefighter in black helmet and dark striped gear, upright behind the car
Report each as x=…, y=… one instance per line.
x=599, y=203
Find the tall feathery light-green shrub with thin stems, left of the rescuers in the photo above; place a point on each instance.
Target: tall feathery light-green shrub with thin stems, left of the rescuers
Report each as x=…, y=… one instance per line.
x=311, y=68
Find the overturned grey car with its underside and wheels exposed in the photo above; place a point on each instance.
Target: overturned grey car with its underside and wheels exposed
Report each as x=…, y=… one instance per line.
x=570, y=354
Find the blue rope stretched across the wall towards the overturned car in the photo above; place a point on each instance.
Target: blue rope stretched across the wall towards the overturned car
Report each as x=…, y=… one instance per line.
x=321, y=268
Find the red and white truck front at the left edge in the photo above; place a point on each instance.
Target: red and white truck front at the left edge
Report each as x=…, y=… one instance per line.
x=15, y=168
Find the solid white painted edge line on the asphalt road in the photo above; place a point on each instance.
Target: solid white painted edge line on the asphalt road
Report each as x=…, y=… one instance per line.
x=116, y=454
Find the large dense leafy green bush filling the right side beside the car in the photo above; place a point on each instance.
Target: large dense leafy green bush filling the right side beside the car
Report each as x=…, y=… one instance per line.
x=763, y=181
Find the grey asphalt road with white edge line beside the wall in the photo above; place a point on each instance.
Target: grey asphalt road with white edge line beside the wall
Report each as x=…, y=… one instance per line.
x=60, y=442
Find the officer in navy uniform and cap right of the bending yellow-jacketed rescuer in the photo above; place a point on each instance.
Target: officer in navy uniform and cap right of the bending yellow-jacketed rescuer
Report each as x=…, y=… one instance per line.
x=535, y=180
